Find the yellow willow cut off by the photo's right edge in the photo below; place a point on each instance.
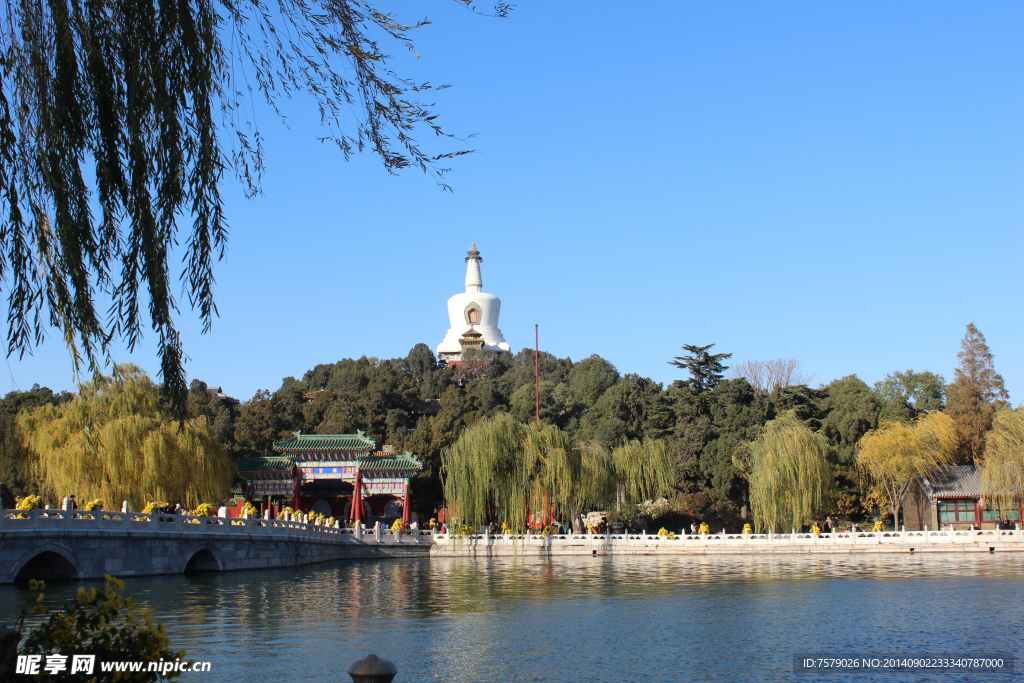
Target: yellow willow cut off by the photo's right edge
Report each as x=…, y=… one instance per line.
x=1003, y=468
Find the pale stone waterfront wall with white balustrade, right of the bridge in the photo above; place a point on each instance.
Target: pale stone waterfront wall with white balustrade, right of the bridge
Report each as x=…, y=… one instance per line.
x=960, y=541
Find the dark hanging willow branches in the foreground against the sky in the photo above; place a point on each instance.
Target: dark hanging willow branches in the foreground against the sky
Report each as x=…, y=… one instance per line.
x=136, y=111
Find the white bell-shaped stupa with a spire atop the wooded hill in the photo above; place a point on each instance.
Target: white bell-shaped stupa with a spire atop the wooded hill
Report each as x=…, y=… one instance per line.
x=473, y=317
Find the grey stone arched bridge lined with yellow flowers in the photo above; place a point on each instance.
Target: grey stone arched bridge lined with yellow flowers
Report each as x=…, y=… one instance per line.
x=58, y=544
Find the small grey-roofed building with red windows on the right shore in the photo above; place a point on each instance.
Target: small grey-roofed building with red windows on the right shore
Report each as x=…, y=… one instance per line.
x=953, y=497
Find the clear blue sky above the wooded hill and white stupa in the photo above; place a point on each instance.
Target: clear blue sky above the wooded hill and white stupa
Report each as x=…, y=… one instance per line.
x=837, y=183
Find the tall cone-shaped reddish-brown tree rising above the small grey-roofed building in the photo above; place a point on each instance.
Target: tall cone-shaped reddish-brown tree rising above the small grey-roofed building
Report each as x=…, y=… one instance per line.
x=975, y=396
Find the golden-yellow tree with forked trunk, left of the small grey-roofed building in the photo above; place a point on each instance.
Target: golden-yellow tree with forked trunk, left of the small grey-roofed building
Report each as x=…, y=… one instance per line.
x=898, y=452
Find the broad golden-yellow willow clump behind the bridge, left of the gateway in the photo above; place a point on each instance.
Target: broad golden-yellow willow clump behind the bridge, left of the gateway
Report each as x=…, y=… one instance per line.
x=117, y=441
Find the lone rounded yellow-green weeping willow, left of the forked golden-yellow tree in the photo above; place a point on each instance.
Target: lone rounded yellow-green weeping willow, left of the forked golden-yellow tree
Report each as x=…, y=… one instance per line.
x=791, y=479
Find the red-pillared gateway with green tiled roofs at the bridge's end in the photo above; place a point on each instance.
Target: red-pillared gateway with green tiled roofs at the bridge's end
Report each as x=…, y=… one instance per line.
x=326, y=474
